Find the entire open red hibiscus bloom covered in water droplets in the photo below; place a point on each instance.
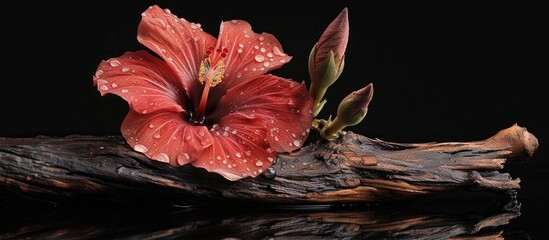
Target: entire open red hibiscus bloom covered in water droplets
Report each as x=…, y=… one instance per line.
x=210, y=102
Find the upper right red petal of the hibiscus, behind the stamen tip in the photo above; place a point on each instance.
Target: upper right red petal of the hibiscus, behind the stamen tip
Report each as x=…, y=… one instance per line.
x=249, y=54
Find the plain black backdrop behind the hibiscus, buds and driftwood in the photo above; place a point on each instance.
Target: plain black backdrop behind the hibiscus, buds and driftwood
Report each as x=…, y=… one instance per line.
x=441, y=72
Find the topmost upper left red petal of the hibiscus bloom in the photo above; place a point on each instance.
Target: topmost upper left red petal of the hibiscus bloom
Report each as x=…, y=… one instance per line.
x=180, y=43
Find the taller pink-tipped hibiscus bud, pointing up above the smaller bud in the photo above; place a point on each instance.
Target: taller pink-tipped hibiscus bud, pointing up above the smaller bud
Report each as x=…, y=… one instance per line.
x=326, y=59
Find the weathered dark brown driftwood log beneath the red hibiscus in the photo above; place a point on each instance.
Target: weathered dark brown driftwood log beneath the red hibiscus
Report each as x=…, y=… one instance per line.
x=353, y=168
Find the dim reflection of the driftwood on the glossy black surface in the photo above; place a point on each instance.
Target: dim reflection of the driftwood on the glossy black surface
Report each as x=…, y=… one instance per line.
x=429, y=218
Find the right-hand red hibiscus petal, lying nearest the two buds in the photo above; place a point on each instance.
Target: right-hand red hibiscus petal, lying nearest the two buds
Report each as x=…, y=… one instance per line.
x=283, y=106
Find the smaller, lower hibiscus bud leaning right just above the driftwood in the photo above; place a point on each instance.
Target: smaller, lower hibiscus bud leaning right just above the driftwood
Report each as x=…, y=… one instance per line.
x=351, y=111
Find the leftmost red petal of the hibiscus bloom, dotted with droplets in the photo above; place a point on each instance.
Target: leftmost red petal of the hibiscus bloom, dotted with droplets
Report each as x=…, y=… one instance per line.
x=143, y=80
